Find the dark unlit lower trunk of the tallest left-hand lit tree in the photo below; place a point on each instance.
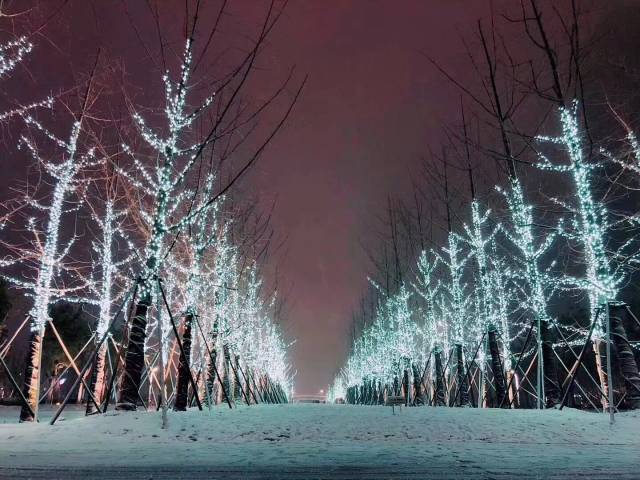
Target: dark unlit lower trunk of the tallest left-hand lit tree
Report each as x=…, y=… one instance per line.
x=134, y=358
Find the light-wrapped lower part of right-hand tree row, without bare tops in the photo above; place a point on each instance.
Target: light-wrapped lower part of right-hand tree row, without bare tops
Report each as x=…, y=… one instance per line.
x=491, y=286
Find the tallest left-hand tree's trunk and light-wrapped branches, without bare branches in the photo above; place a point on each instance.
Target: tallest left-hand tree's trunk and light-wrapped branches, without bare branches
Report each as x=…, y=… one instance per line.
x=166, y=186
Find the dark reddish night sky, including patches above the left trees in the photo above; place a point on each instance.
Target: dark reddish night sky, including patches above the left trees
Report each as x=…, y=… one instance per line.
x=371, y=106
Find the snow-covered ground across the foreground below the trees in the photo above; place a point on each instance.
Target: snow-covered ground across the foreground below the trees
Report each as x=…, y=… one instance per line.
x=325, y=441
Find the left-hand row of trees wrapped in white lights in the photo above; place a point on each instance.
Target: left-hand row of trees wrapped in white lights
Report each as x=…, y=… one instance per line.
x=165, y=245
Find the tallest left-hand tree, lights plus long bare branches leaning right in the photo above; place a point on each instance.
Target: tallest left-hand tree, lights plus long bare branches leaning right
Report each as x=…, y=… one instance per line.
x=164, y=183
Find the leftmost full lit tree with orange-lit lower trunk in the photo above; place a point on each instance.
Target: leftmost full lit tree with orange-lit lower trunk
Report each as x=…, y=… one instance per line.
x=47, y=253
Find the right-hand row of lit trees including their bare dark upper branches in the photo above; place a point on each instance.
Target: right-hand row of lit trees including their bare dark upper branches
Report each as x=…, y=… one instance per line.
x=492, y=293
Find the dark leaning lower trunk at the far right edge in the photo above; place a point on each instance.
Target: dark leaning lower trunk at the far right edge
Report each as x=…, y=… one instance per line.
x=618, y=313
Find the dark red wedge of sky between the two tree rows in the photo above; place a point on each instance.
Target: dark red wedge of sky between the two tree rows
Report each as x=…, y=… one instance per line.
x=371, y=106
